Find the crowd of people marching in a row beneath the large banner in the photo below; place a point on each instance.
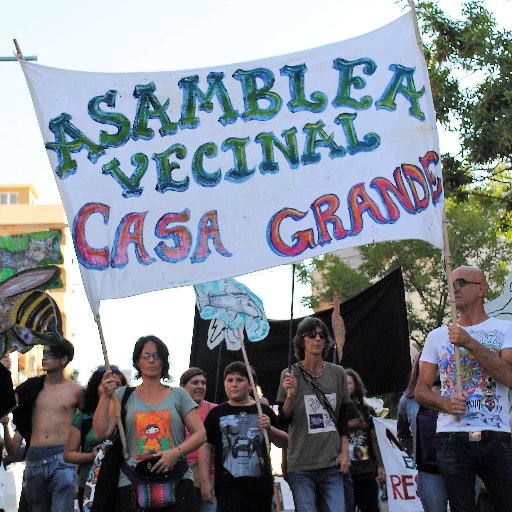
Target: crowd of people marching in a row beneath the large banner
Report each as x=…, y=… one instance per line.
x=187, y=454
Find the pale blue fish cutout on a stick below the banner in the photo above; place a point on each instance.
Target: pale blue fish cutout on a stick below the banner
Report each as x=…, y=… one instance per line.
x=234, y=304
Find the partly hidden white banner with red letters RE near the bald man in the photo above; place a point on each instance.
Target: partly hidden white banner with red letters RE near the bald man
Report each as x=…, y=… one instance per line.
x=401, y=474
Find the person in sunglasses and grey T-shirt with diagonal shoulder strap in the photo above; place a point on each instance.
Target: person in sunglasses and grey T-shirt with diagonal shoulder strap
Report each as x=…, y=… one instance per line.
x=313, y=399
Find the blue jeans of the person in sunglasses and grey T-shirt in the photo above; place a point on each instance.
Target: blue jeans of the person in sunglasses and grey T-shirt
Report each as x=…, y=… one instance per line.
x=317, y=490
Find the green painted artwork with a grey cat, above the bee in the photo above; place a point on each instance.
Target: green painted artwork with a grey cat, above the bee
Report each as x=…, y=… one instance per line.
x=21, y=252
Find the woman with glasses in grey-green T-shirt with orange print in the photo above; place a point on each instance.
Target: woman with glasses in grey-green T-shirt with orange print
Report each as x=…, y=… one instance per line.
x=155, y=420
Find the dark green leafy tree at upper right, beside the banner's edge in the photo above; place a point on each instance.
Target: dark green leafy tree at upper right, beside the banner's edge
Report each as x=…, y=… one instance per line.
x=470, y=65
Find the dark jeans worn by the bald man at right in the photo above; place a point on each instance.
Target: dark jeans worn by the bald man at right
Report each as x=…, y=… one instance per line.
x=460, y=460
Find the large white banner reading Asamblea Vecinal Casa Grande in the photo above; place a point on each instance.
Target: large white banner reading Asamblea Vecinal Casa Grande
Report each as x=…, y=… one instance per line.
x=183, y=177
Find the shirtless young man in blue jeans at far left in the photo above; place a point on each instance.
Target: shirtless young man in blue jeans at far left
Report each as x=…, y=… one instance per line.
x=46, y=407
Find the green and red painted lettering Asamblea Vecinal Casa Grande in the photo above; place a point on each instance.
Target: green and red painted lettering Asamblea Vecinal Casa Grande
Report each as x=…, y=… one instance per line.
x=413, y=188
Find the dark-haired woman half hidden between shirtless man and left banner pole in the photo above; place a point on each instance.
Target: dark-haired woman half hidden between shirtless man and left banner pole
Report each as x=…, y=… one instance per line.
x=82, y=445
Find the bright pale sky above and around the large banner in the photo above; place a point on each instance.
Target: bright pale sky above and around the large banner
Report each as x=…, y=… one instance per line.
x=157, y=36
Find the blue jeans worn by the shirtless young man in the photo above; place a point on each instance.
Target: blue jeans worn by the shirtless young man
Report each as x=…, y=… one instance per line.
x=49, y=481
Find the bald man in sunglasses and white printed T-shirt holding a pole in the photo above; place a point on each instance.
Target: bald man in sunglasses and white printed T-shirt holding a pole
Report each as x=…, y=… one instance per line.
x=473, y=432
